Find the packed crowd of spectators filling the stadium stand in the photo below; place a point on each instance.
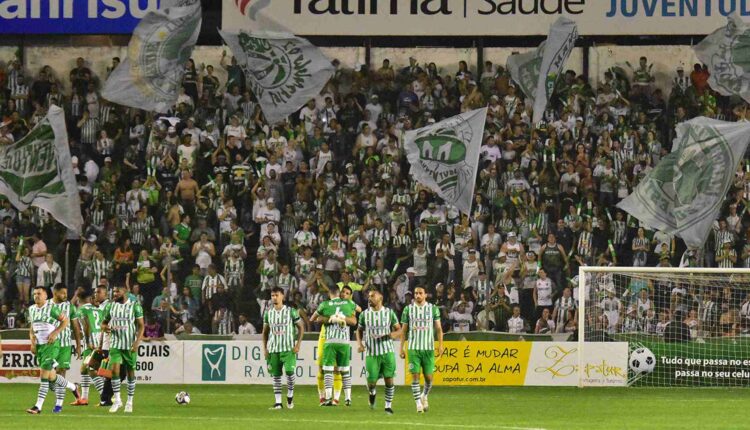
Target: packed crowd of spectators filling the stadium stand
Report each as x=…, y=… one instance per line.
x=203, y=210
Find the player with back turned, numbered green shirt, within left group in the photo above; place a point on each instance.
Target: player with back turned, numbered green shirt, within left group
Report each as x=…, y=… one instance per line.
x=90, y=316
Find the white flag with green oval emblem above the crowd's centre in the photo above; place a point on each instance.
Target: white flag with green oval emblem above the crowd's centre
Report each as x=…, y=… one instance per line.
x=445, y=156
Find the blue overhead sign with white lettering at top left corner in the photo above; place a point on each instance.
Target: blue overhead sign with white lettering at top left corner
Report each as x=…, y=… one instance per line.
x=72, y=16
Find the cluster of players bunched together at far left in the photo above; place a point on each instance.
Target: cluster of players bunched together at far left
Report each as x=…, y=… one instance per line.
x=105, y=334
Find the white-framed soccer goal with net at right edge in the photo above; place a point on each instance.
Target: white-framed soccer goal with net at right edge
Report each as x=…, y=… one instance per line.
x=676, y=327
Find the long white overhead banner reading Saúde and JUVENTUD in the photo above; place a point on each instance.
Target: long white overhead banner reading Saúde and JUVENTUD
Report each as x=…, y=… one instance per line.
x=481, y=17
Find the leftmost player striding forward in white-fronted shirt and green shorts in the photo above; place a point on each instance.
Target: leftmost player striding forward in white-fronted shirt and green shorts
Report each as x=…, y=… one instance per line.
x=47, y=323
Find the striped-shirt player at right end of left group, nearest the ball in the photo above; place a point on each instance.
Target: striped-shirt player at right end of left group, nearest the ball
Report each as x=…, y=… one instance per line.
x=123, y=319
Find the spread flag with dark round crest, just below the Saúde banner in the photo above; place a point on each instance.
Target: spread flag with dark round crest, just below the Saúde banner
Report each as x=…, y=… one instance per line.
x=282, y=70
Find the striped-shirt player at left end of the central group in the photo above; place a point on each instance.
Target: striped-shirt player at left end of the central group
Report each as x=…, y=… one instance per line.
x=279, y=346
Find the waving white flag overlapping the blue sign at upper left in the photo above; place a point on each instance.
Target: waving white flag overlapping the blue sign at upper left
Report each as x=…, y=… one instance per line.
x=150, y=76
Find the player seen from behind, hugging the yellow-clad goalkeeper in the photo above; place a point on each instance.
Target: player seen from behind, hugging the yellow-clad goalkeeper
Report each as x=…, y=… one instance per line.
x=337, y=314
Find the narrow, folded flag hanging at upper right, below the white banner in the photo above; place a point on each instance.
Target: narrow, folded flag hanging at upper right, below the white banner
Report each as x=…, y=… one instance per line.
x=536, y=72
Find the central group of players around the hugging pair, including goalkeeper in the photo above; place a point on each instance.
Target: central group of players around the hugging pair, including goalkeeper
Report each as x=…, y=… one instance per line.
x=376, y=329
